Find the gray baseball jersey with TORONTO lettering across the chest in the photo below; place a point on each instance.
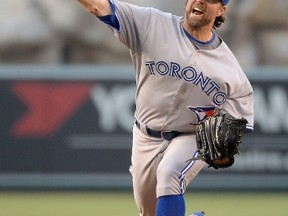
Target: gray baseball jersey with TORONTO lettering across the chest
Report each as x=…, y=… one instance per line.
x=175, y=80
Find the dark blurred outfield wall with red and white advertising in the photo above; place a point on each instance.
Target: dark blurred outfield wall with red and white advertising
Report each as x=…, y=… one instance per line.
x=70, y=126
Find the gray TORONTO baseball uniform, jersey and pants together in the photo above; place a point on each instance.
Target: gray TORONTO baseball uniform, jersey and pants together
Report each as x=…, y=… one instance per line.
x=179, y=81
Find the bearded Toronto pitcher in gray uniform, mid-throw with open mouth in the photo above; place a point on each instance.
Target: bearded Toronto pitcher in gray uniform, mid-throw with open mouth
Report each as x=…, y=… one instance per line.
x=193, y=101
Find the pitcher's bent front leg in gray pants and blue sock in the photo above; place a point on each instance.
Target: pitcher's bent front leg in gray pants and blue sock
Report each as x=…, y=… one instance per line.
x=174, y=174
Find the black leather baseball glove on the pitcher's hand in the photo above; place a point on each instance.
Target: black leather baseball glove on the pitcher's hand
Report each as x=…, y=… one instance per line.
x=218, y=138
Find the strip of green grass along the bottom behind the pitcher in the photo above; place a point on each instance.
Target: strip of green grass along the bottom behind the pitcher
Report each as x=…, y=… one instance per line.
x=122, y=204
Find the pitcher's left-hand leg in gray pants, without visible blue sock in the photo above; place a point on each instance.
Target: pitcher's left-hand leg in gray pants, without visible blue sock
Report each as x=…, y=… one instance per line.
x=146, y=155
